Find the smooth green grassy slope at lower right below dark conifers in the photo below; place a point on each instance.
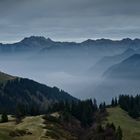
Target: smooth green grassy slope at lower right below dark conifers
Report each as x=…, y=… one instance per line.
x=130, y=127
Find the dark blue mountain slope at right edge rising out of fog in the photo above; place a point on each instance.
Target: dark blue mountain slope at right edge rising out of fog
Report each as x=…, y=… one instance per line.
x=127, y=69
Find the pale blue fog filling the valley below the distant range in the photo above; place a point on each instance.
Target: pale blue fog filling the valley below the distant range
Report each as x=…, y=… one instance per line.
x=80, y=73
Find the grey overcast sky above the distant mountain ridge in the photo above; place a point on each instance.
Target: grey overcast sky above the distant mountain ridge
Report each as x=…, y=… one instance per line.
x=69, y=20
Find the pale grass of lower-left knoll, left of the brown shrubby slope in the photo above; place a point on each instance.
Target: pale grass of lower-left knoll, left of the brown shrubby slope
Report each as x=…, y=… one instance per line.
x=34, y=125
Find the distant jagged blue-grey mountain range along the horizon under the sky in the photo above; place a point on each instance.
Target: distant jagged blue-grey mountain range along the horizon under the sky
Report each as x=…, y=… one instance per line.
x=41, y=43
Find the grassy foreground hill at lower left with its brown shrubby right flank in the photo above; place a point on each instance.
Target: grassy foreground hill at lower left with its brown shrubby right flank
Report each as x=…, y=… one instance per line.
x=52, y=126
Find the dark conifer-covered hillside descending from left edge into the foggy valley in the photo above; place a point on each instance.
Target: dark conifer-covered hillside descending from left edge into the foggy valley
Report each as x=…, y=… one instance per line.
x=28, y=93
